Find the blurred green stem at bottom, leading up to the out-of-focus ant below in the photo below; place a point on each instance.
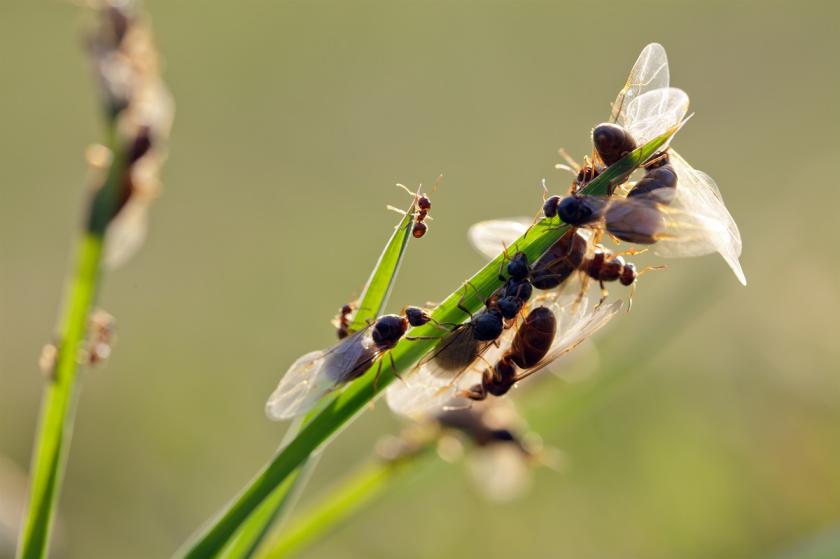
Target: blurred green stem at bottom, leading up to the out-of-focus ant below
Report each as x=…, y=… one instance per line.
x=350, y=497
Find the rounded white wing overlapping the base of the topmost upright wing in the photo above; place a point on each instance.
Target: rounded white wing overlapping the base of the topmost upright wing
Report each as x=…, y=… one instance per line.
x=653, y=113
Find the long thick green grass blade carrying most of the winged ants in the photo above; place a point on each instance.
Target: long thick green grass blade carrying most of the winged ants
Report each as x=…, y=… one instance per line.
x=407, y=352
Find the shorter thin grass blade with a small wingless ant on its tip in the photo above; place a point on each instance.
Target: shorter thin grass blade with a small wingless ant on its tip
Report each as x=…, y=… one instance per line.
x=371, y=304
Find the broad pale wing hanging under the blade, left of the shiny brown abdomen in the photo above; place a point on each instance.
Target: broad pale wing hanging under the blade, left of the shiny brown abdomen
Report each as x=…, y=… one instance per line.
x=431, y=386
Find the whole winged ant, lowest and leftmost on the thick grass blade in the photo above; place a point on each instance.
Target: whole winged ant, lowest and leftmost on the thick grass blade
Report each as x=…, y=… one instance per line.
x=317, y=373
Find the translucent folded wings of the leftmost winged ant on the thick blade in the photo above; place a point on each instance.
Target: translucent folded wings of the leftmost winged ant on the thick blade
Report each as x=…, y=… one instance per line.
x=315, y=374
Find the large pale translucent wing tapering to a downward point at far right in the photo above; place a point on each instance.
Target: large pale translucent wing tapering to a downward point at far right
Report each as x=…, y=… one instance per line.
x=697, y=220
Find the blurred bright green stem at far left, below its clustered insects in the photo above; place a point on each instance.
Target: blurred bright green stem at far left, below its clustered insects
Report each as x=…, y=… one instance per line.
x=59, y=402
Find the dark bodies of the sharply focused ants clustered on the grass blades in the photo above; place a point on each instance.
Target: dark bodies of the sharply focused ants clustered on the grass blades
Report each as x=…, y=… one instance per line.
x=569, y=255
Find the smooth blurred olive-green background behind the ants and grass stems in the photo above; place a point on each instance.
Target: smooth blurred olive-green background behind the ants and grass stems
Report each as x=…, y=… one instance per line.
x=721, y=438
